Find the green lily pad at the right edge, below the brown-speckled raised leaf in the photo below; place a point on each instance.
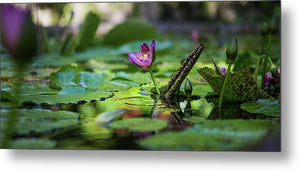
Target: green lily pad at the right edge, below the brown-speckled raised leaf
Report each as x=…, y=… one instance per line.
x=266, y=107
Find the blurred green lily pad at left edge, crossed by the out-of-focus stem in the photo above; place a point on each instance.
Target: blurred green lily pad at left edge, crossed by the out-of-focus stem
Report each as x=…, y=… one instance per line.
x=40, y=121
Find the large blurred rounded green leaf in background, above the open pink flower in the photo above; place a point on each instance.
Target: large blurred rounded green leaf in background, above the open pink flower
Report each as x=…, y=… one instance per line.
x=130, y=31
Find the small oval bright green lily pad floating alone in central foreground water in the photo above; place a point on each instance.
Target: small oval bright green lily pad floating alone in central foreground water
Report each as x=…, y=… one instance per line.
x=139, y=124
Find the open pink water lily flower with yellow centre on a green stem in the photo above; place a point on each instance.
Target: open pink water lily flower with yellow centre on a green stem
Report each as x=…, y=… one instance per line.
x=145, y=58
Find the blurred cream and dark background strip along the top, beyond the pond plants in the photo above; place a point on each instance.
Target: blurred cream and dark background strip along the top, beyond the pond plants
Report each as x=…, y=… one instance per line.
x=227, y=17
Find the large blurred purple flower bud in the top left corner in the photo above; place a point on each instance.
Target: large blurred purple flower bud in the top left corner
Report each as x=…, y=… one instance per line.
x=18, y=33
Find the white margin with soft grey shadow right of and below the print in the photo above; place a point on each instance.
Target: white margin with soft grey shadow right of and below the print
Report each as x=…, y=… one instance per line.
x=288, y=159
